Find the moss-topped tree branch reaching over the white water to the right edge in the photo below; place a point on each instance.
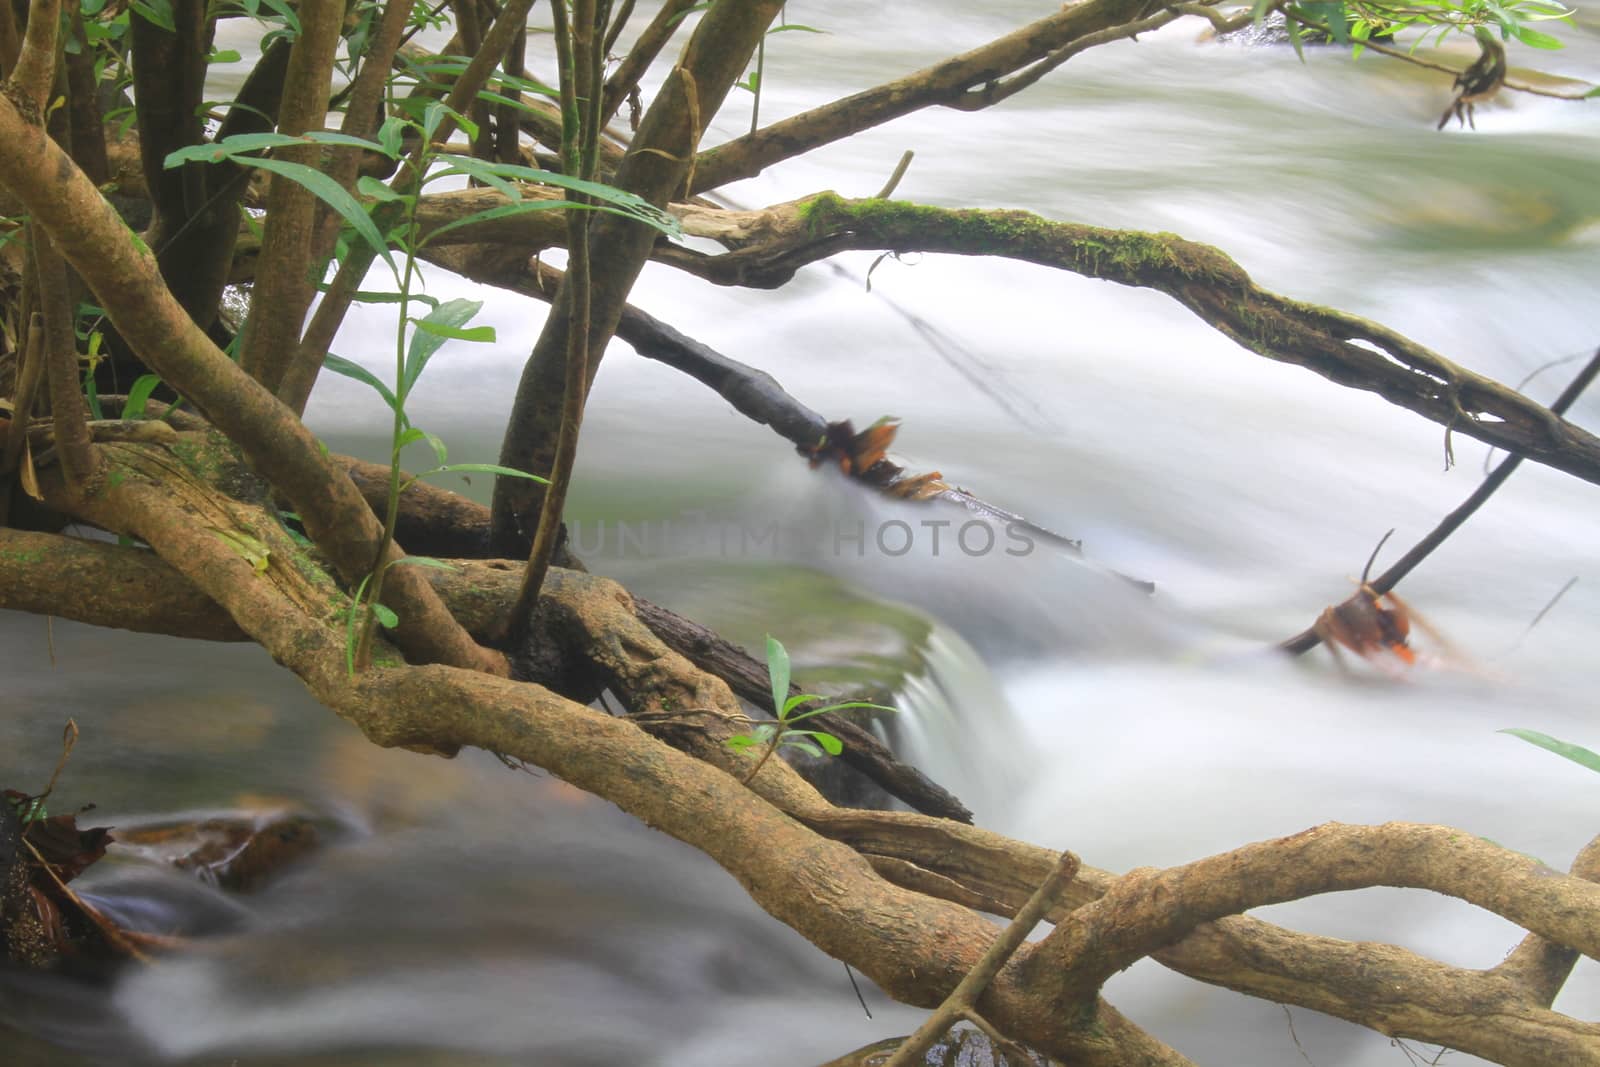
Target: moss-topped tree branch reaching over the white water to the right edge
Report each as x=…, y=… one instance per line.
x=769, y=247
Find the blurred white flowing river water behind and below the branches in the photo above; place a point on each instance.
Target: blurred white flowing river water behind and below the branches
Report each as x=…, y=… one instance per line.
x=478, y=916
